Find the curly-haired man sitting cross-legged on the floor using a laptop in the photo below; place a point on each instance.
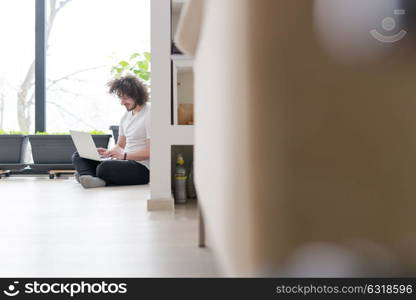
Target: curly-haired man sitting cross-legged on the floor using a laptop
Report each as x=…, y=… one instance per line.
x=129, y=162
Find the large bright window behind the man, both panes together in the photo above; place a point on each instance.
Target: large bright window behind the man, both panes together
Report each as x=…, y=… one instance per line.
x=84, y=39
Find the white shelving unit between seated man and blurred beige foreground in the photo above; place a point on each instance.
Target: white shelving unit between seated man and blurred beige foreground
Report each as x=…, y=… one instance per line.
x=172, y=90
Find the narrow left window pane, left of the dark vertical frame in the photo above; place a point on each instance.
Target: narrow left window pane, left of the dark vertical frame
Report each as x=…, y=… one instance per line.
x=17, y=54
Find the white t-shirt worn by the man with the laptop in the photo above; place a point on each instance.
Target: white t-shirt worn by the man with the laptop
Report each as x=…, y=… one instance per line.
x=136, y=129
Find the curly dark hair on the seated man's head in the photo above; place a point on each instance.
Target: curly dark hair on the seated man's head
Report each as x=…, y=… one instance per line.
x=129, y=86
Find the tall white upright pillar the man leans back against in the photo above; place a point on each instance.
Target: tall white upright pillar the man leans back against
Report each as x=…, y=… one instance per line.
x=160, y=191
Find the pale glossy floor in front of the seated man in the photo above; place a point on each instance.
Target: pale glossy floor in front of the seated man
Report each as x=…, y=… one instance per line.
x=51, y=228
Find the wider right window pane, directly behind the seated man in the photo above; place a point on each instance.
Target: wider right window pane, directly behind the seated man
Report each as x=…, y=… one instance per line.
x=87, y=37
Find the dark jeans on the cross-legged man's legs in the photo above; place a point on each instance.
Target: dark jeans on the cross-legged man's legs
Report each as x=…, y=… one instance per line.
x=113, y=172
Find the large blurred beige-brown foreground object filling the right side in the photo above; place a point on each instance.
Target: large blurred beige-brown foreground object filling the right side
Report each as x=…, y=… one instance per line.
x=291, y=145
